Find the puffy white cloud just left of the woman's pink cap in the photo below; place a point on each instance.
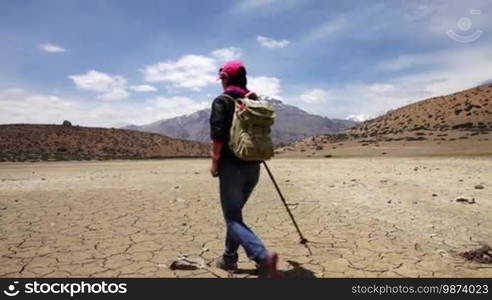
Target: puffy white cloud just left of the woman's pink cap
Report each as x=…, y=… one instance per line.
x=190, y=71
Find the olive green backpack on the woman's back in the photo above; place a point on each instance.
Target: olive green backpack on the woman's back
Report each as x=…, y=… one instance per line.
x=250, y=130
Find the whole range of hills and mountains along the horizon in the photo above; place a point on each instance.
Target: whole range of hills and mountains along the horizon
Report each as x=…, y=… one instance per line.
x=454, y=124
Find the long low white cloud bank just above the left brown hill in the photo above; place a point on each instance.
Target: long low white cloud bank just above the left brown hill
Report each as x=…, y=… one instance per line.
x=19, y=106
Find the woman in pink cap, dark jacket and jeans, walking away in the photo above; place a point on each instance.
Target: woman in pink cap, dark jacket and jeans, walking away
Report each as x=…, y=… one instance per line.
x=237, y=178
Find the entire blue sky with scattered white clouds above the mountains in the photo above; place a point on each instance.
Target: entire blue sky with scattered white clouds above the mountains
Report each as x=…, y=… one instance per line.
x=108, y=63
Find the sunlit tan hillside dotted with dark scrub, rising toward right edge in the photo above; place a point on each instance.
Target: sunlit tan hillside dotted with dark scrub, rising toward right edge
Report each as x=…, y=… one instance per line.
x=459, y=123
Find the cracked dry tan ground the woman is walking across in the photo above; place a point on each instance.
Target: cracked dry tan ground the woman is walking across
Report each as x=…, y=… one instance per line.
x=365, y=217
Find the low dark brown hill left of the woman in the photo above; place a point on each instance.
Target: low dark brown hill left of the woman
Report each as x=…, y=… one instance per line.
x=27, y=142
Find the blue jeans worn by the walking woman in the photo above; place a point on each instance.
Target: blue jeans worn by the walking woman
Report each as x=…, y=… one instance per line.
x=237, y=180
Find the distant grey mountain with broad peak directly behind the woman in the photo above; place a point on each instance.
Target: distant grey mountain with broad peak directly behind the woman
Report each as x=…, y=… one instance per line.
x=291, y=124
